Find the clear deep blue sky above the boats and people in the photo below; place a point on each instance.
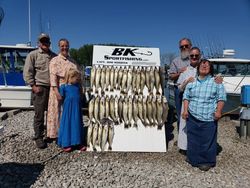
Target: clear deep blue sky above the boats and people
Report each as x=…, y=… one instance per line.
x=152, y=23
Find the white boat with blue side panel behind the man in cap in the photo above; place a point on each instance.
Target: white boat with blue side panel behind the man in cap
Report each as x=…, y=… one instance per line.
x=13, y=91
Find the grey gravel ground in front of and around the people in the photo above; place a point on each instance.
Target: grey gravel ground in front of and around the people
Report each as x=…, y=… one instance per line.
x=23, y=165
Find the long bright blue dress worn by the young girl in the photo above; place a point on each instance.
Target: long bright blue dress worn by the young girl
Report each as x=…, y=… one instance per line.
x=71, y=124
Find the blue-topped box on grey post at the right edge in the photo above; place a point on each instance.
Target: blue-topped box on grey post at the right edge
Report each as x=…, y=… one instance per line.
x=245, y=112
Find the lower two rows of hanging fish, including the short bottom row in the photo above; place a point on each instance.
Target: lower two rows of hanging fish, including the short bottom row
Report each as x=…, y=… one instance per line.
x=105, y=112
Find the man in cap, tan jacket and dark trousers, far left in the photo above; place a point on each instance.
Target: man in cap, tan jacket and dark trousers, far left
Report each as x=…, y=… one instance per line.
x=36, y=74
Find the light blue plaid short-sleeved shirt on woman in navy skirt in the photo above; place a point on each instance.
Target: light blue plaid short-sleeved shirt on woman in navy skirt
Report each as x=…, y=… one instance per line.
x=203, y=96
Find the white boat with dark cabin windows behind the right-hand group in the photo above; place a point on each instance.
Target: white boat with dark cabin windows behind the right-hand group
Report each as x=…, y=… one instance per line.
x=235, y=73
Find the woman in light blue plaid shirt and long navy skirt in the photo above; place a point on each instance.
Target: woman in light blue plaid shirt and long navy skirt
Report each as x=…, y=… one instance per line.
x=203, y=104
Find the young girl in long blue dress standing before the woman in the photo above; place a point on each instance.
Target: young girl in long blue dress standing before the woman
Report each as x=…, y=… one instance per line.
x=71, y=132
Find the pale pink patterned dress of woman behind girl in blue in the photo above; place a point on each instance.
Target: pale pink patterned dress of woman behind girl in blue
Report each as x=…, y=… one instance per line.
x=59, y=65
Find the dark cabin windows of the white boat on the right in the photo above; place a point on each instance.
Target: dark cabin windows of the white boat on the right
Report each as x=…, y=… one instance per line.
x=232, y=69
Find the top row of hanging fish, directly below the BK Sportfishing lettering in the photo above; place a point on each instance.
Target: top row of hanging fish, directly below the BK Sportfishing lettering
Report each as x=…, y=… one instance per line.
x=124, y=78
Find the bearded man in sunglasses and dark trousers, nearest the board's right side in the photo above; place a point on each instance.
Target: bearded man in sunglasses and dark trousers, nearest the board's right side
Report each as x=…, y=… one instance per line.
x=177, y=66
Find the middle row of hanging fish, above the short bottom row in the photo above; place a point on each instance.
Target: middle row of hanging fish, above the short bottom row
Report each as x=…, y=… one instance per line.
x=150, y=110
